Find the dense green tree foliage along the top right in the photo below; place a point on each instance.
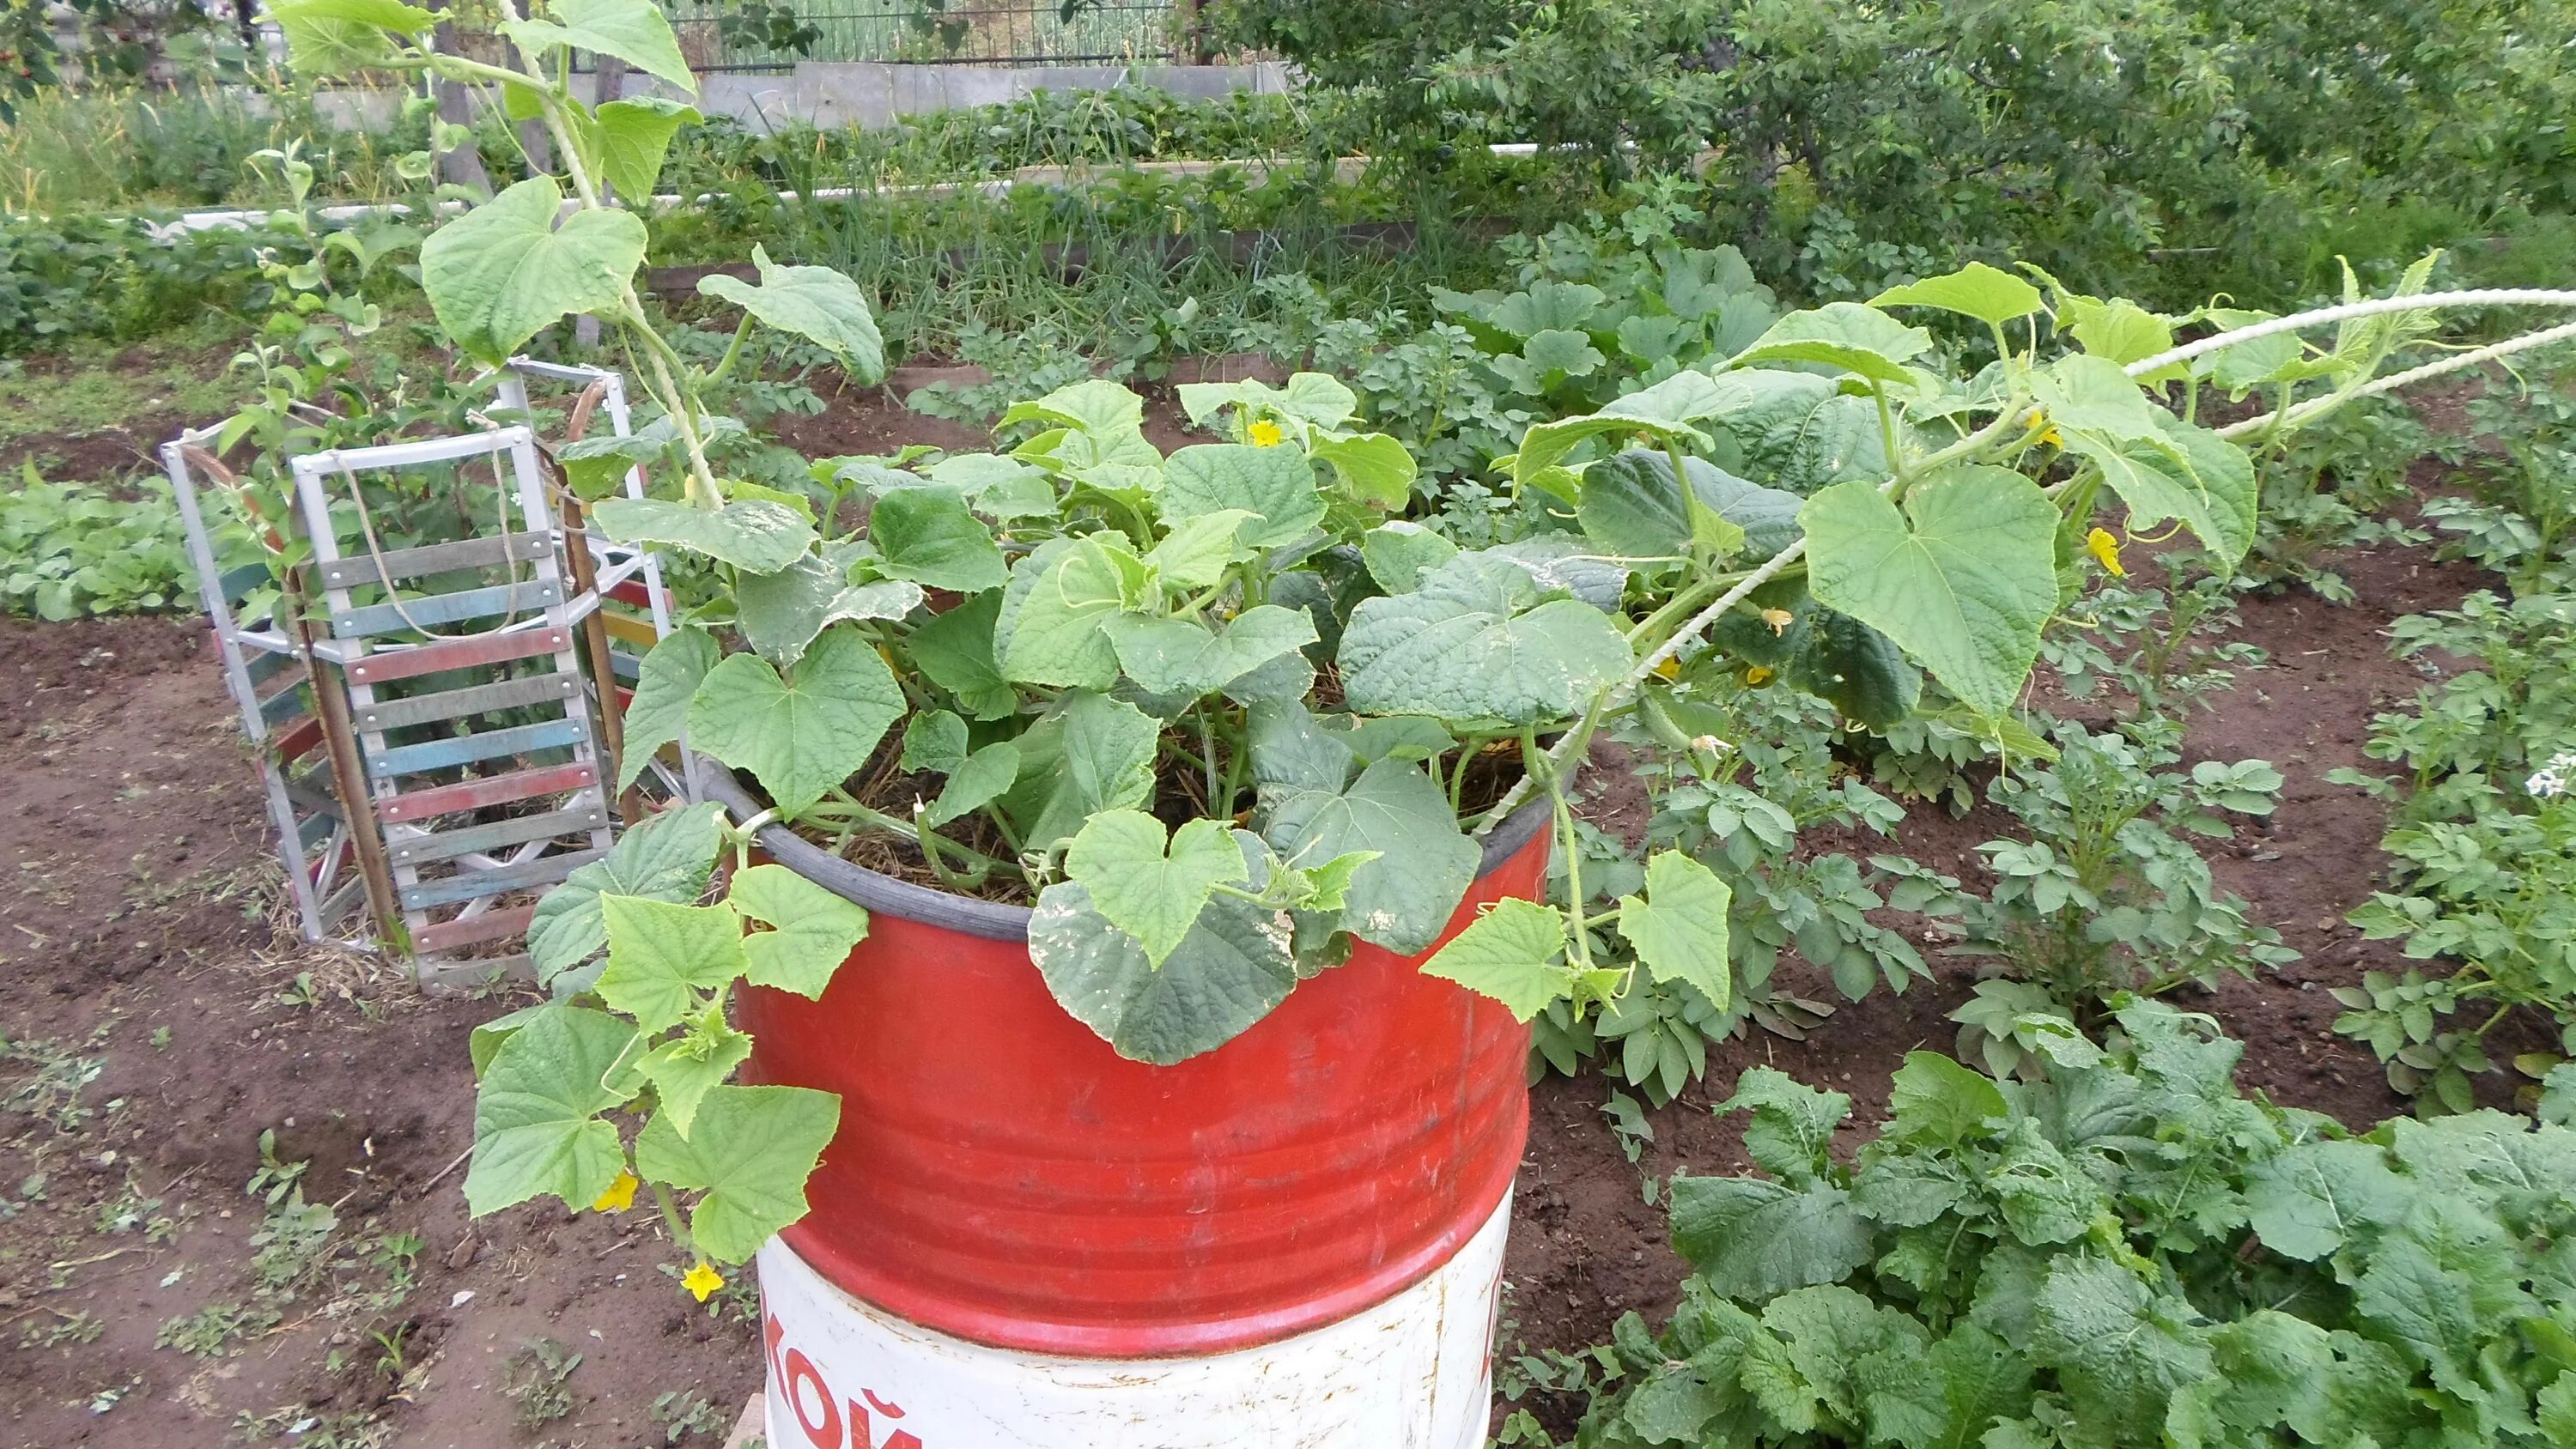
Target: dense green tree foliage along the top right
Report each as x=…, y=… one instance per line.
x=2101, y=135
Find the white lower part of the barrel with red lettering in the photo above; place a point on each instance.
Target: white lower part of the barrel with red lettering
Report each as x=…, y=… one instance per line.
x=1410, y=1373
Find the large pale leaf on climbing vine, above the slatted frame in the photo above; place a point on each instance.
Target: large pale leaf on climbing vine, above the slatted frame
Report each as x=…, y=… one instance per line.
x=504, y=272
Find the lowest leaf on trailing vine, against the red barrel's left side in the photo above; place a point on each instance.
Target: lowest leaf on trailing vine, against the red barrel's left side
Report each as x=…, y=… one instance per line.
x=751, y=1154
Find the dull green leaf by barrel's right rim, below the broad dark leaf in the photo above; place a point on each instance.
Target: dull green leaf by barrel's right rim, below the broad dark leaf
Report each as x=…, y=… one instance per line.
x=1426, y=863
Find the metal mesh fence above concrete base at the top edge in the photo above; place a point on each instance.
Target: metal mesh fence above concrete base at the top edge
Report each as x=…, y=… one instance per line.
x=735, y=37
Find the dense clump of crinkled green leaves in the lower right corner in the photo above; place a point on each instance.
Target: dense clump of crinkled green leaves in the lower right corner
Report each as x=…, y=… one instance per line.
x=2119, y=1255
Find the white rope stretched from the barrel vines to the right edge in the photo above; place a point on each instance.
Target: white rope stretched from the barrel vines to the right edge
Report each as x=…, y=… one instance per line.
x=2294, y=323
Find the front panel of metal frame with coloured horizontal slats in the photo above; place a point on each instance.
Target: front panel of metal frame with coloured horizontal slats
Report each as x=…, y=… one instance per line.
x=401, y=683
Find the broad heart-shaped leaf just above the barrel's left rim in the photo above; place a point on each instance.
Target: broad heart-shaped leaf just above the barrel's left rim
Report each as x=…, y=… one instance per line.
x=797, y=737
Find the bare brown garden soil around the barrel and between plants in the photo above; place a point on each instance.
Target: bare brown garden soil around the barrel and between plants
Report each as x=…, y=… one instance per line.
x=109, y=732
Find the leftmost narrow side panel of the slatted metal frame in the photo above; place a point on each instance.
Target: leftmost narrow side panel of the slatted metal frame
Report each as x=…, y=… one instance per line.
x=274, y=686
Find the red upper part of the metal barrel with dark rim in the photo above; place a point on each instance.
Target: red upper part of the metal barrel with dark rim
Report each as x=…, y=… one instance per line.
x=1006, y=1177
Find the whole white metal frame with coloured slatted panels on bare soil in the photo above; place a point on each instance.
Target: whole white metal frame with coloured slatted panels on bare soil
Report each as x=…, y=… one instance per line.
x=323, y=688
